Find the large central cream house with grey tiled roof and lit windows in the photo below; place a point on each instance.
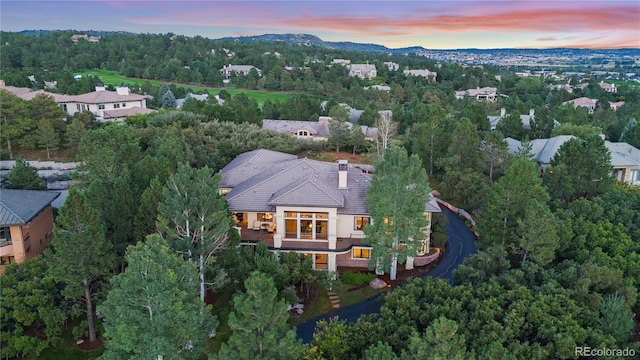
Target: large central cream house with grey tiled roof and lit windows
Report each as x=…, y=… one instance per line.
x=307, y=206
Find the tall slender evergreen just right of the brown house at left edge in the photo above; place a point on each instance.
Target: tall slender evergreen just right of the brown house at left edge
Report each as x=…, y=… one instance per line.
x=82, y=254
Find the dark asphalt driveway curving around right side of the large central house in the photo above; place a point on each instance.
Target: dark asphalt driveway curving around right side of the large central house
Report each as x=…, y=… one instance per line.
x=460, y=245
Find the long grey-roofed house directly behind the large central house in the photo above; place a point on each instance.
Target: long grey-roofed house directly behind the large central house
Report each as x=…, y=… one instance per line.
x=312, y=130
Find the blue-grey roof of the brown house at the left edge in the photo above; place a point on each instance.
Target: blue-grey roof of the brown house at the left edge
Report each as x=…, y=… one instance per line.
x=18, y=207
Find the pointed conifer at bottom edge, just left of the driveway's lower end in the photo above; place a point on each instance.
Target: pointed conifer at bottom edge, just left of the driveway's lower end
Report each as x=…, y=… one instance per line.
x=259, y=324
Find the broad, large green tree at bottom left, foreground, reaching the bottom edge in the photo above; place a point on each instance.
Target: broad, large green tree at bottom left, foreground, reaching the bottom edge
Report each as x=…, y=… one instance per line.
x=153, y=310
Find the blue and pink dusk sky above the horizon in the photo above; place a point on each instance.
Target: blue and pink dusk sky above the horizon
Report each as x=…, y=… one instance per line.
x=431, y=24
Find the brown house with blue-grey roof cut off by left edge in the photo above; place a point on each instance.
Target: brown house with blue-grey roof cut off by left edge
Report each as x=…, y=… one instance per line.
x=26, y=223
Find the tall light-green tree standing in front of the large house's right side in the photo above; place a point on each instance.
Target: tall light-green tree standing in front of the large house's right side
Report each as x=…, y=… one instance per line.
x=396, y=199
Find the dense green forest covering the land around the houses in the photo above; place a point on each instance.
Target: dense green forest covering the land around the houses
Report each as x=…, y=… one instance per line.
x=559, y=260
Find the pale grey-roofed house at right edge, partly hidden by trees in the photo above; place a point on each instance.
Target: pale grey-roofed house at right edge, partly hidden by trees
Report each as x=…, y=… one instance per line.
x=625, y=159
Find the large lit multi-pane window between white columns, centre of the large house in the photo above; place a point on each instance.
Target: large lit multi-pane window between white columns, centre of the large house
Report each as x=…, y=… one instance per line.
x=306, y=225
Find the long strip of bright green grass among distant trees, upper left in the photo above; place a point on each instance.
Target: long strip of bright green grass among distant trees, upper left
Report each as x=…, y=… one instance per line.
x=115, y=78
